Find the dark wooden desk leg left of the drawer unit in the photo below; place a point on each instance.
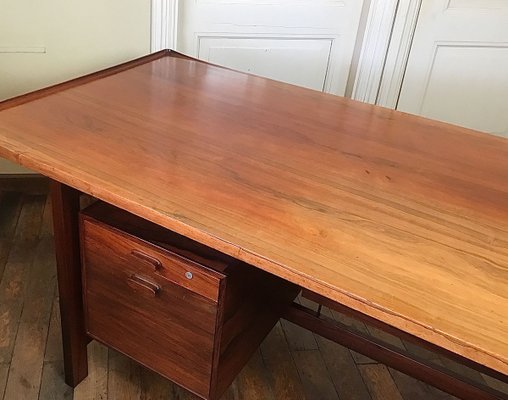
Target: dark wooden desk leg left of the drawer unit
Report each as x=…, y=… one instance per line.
x=65, y=201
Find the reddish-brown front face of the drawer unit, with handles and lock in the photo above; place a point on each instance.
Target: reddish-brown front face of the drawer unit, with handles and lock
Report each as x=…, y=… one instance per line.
x=135, y=302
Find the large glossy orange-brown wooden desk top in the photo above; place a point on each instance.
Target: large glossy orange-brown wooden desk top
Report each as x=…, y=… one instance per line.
x=397, y=216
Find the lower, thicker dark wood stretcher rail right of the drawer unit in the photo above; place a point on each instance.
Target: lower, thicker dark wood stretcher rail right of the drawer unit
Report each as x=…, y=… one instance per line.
x=392, y=356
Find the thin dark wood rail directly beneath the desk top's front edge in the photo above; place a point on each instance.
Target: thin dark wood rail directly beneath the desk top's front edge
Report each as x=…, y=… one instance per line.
x=402, y=335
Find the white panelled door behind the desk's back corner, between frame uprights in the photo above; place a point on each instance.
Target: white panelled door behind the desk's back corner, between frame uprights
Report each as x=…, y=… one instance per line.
x=304, y=42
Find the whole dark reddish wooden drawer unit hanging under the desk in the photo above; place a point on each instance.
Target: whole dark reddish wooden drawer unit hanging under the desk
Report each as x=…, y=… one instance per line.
x=190, y=313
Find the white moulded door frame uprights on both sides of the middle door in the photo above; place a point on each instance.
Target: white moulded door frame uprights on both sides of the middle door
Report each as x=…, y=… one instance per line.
x=384, y=52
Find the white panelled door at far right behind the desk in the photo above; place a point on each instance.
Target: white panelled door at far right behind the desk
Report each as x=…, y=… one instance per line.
x=458, y=65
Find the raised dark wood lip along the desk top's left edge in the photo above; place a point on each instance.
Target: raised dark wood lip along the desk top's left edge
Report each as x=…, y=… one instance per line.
x=25, y=98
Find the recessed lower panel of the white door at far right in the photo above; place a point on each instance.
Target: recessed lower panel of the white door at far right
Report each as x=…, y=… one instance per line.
x=481, y=102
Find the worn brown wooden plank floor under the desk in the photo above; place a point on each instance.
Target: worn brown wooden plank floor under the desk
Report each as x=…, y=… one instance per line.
x=292, y=363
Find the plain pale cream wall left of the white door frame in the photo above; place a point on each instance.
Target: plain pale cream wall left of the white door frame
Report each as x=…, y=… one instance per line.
x=50, y=41
